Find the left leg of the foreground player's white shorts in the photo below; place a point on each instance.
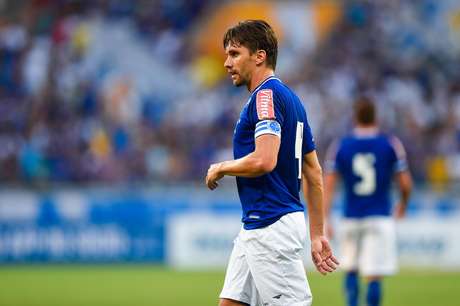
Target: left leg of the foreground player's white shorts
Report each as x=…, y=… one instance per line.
x=238, y=285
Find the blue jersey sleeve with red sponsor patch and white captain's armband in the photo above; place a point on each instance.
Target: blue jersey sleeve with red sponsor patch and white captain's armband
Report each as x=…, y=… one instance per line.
x=266, y=113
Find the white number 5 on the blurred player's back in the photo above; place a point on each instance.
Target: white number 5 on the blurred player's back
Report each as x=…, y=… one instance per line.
x=363, y=166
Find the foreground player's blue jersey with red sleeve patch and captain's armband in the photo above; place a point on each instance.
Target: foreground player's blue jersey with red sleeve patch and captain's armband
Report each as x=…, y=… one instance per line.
x=272, y=109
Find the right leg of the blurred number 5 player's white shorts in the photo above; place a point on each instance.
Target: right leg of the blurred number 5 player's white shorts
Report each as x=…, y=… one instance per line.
x=379, y=253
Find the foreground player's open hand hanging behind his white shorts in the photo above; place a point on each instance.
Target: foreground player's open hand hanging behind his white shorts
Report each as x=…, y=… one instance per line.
x=321, y=254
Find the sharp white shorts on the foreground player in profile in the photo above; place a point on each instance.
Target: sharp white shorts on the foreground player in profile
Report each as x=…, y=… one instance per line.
x=266, y=266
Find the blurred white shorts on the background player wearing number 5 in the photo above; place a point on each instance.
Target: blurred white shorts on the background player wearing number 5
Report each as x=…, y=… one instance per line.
x=368, y=246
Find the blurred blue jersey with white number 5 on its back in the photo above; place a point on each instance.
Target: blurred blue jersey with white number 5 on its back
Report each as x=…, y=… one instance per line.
x=367, y=161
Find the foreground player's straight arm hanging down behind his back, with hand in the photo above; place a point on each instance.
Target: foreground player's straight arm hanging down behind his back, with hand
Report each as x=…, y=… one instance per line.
x=312, y=184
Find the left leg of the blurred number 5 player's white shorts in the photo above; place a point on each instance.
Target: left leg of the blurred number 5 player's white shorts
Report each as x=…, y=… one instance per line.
x=350, y=240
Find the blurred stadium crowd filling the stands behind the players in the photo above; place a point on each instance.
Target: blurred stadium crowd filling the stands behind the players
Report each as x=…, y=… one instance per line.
x=115, y=91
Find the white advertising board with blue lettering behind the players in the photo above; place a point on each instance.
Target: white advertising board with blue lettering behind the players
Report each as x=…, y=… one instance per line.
x=205, y=240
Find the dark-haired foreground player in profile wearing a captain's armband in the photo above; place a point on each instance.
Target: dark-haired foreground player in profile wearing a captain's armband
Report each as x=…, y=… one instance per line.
x=274, y=154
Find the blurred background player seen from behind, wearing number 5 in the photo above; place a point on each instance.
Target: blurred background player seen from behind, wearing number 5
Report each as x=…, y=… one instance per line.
x=367, y=161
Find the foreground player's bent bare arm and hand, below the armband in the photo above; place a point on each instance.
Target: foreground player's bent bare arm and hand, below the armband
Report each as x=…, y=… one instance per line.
x=261, y=161
